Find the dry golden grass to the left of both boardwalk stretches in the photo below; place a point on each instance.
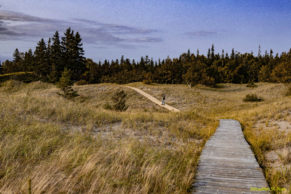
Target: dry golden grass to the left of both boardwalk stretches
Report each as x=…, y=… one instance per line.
x=78, y=147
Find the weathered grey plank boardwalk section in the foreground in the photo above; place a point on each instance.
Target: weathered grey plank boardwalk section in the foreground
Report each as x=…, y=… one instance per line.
x=227, y=163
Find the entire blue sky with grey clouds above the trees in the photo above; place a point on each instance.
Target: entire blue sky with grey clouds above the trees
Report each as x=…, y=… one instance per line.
x=157, y=28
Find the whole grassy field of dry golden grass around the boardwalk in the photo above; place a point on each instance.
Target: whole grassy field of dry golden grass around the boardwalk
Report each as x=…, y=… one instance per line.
x=77, y=146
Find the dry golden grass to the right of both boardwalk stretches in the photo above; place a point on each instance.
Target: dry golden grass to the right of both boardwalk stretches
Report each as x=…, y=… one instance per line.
x=266, y=124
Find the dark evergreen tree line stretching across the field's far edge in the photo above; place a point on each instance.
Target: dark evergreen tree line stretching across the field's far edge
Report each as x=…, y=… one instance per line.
x=50, y=59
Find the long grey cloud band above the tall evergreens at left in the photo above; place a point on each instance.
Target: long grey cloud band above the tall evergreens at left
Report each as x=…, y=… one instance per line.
x=15, y=25
